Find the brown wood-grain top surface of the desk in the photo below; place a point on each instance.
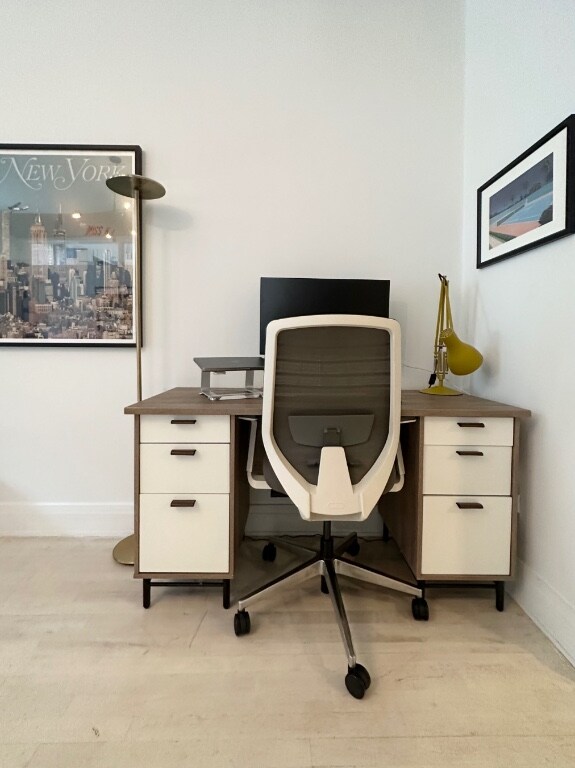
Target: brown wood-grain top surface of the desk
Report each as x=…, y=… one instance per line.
x=187, y=400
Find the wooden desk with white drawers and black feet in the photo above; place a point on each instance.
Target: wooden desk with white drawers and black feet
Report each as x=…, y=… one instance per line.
x=455, y=519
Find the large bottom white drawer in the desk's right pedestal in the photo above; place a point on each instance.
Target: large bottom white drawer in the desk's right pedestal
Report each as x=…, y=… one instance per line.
x=466, y=541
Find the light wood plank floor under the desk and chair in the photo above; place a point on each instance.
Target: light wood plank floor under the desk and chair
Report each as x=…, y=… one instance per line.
x=89, y=678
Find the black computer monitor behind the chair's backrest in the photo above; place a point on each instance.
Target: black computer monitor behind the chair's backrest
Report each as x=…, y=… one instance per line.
x=298, y=296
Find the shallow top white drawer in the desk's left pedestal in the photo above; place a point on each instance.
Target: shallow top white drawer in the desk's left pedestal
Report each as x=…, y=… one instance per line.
x=185, y=429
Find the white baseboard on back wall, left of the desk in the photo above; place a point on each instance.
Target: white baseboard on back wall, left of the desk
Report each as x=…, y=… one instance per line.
x=58, y=519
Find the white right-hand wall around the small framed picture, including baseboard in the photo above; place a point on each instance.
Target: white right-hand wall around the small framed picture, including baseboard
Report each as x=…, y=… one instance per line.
x=520, y=79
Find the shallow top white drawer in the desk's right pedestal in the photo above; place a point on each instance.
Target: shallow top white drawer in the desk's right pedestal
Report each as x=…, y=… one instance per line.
x=463, y=430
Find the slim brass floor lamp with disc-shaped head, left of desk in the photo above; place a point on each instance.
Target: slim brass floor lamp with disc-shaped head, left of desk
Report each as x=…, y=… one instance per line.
x=139, y=188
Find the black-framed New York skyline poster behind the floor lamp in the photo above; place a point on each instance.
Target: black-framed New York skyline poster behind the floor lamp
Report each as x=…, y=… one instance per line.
x=67, y=246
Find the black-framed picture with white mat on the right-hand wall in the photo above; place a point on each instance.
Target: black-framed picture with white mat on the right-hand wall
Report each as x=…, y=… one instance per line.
x=531, y=201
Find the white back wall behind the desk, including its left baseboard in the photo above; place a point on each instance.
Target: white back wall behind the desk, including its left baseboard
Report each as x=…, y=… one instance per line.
x=294, y=137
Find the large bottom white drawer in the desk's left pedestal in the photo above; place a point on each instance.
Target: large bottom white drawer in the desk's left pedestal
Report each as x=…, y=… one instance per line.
x=184, y=539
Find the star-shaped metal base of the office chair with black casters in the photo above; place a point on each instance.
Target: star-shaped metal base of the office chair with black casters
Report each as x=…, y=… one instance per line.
x=328, y=563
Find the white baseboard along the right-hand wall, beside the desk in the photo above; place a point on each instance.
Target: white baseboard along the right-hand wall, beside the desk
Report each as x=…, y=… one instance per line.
x=549, y=610
